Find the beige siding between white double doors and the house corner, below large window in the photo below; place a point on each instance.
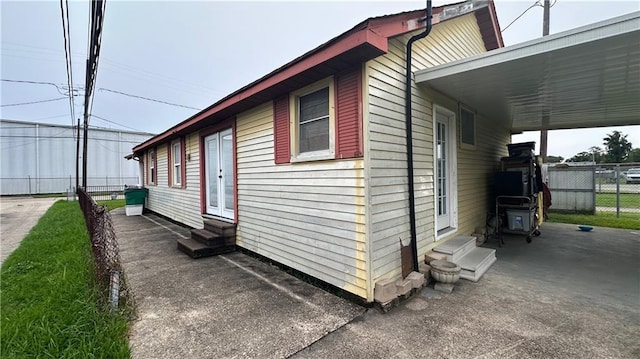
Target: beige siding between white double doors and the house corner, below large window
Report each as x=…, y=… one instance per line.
x=309, y=216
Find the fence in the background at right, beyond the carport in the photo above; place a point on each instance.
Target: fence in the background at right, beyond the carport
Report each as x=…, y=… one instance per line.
x=590, y=188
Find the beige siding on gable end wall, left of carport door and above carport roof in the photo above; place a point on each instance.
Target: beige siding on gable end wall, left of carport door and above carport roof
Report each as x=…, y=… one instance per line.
x=386, y=158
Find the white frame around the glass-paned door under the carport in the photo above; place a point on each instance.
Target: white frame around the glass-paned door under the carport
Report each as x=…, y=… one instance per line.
x=441, y=114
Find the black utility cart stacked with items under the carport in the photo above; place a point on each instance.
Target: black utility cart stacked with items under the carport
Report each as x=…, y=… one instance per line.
x=516, y=189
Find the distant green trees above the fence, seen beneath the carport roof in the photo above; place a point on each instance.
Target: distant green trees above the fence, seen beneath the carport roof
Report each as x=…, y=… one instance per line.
x=617, y=149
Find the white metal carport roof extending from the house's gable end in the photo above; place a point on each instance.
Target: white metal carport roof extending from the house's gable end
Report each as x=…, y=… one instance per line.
x=585, y=77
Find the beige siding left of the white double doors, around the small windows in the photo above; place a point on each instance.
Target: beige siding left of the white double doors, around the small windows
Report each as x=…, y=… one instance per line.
x=179, y=204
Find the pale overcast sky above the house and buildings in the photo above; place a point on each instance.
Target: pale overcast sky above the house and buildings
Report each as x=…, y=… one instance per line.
x=194, y=53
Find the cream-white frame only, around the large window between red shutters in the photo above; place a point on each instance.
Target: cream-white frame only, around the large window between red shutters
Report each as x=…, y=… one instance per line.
x=294, y=110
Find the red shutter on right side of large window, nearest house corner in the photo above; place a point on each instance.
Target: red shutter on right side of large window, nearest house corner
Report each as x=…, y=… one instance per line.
x=349, y=114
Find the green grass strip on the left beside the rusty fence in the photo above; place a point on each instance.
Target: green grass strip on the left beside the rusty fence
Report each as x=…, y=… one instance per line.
x=48, y=299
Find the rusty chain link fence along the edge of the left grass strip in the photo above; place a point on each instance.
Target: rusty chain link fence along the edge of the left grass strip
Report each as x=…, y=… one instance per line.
x=108, y=268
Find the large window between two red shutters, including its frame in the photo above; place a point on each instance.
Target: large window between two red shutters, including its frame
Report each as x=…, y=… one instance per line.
x=312, y=129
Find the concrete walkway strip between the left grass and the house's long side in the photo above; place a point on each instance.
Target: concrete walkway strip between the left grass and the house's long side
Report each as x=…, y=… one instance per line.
x=218, y=307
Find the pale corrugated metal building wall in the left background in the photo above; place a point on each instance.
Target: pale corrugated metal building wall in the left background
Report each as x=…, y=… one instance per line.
x=40, y=158
